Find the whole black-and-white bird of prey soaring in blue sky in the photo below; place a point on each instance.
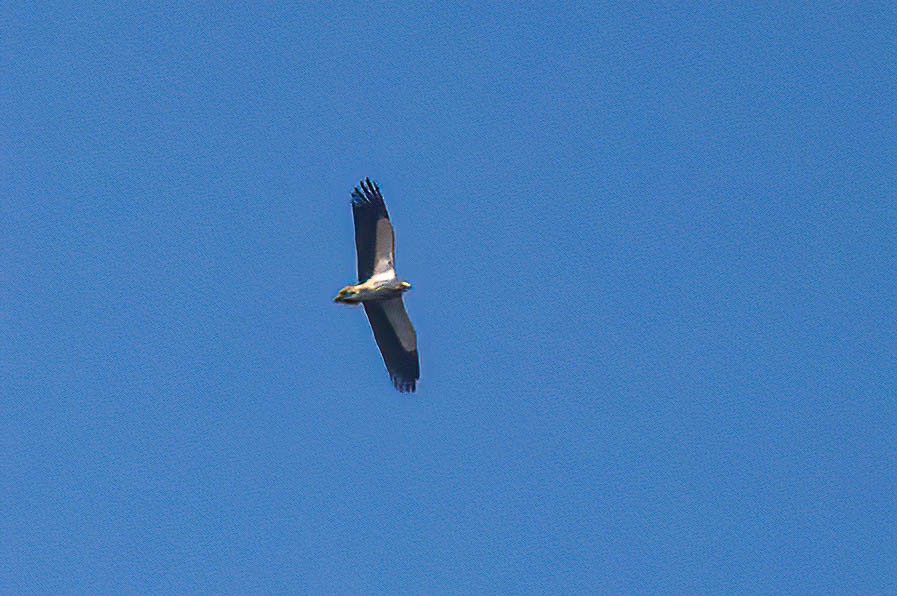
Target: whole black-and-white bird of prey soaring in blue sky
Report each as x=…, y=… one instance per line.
x=379, y=289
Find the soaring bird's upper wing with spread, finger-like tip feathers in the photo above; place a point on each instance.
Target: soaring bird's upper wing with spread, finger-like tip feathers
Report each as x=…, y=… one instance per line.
x=374, y=238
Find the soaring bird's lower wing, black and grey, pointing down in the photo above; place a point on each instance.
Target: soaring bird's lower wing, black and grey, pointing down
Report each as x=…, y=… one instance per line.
x=396, y=339
